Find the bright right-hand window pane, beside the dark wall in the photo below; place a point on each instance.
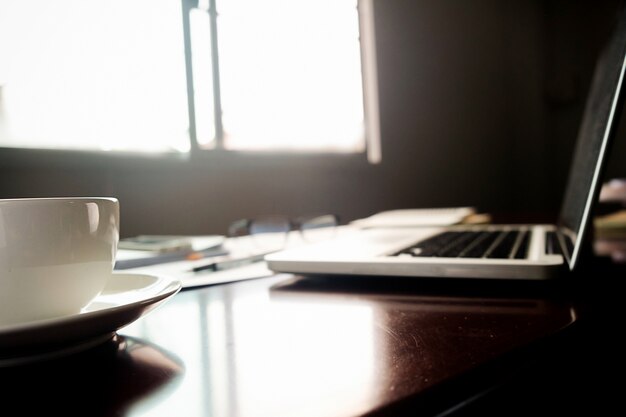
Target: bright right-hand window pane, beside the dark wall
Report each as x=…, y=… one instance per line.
x=291, y=74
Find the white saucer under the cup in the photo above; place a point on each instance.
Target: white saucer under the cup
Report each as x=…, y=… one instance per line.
x=126, y=297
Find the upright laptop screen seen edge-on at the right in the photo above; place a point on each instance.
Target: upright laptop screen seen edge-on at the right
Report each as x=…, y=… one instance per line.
x=599, y=123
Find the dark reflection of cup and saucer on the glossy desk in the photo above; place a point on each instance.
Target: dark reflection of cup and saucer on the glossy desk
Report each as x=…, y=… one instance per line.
x=113, y=378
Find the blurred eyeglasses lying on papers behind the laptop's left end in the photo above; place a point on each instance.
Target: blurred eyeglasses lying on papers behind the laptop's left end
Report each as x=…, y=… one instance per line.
x=272, y=233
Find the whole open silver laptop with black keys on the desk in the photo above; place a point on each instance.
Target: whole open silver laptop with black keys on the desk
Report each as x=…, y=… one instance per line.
x=533, y=251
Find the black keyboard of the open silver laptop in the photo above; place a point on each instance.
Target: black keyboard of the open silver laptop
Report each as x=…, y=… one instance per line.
x=499, y=244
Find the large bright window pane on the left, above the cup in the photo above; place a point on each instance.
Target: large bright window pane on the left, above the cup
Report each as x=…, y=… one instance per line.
x=92, y=74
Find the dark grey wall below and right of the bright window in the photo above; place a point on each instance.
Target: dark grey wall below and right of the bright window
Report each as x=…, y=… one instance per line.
x=480, y=102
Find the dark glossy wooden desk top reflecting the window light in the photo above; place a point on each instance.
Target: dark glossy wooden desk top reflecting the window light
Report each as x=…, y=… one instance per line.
x=290, y=346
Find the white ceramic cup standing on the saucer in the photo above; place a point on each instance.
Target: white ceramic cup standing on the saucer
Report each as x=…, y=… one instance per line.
x=56, y=255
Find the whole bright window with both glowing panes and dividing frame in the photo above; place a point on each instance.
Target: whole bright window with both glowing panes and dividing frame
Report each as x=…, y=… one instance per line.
x=112, y=75
